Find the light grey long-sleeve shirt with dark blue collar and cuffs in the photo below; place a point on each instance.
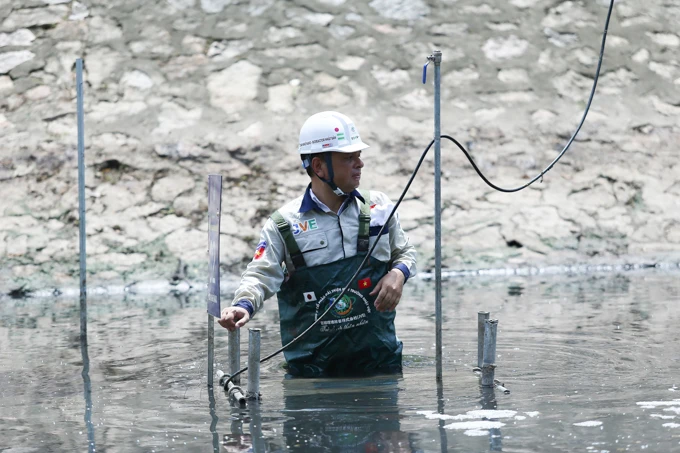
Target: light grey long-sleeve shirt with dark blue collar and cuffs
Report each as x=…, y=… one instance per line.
x=323, y=237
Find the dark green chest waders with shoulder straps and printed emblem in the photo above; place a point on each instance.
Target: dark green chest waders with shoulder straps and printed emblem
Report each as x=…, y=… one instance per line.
x=353, y=338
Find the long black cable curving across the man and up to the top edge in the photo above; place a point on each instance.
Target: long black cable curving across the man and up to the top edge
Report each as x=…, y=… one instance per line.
x=481, y=175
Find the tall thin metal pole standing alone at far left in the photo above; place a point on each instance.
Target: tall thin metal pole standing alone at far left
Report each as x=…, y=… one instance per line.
x=81, y=174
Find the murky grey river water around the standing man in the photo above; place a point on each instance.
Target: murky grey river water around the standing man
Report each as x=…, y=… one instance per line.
x=593, y=364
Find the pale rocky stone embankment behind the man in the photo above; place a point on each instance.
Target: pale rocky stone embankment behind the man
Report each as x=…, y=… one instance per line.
x=179, y=89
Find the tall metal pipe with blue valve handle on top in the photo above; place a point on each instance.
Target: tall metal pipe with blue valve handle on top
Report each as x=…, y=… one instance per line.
x=437, y=58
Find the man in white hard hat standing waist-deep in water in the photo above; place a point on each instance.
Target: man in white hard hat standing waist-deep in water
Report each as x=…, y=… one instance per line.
x=312, y=245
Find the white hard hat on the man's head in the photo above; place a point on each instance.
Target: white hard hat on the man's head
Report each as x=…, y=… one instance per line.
x=329, y=131
